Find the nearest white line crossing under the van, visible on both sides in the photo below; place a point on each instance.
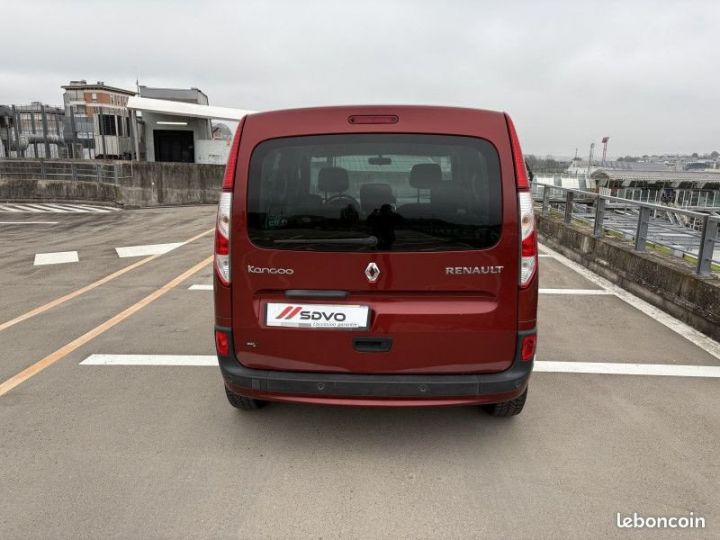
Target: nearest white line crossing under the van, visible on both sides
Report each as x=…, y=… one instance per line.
x=596, y=368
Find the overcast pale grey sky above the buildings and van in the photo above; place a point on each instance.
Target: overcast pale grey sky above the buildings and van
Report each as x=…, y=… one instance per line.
x=645, y=73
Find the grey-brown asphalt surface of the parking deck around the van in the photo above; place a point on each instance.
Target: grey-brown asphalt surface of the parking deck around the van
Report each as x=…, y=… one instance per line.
x=152, y=451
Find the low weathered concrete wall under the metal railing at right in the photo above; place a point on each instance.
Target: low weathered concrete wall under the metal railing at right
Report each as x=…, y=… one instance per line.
x=667, y=283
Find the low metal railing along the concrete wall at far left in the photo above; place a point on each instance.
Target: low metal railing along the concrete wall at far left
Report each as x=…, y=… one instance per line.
x=84, y=171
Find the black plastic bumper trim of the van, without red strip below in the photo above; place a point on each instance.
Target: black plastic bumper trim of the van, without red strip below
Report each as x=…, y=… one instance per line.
x=375, y=385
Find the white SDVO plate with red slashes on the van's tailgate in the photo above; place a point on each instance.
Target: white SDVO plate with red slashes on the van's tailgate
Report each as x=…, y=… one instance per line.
x=316, y=315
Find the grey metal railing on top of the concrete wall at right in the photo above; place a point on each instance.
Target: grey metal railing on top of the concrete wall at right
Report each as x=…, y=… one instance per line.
x=645, y=223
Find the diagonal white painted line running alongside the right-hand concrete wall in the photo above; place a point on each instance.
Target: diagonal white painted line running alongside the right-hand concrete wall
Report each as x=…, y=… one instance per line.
x=707, y=344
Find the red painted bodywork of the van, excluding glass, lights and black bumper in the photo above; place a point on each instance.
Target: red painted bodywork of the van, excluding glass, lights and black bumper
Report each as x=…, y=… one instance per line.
x=439, y=323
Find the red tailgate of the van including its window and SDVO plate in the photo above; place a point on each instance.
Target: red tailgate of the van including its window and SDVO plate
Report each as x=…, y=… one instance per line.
x=382, y=252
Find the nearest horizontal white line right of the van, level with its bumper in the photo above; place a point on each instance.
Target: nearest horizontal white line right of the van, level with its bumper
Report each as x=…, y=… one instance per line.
x=606, y=368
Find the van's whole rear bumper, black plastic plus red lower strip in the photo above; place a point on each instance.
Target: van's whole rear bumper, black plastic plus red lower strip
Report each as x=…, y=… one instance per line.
x=376, y=389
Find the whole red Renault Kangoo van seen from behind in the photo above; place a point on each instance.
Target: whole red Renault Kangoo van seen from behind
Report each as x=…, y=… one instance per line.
x=376, y=255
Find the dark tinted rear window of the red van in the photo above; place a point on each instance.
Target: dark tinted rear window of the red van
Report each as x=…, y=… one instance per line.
x=375, y=192
